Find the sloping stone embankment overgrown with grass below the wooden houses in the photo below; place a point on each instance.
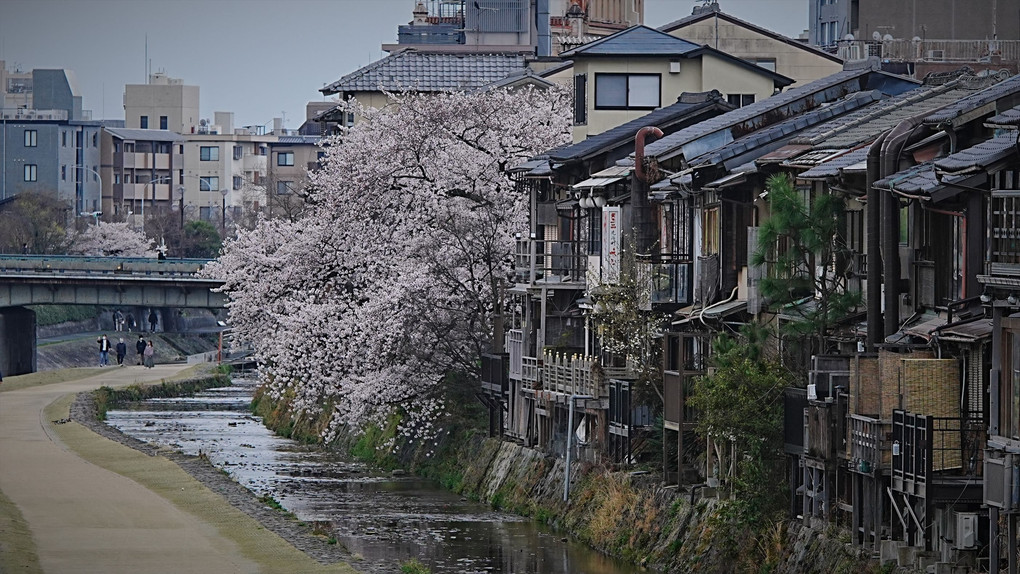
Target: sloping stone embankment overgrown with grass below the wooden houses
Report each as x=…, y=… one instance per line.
x=624, y=514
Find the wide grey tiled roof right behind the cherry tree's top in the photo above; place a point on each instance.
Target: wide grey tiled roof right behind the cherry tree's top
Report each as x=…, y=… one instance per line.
x=429, y=72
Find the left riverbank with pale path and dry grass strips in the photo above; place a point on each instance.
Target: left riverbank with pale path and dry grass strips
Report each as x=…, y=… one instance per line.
x=77, y=501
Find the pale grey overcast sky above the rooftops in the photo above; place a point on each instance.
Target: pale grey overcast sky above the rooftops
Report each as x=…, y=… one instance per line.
x=259, y=59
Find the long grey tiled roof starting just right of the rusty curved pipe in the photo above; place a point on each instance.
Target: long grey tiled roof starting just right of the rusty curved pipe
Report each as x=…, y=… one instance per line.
x=763, y=113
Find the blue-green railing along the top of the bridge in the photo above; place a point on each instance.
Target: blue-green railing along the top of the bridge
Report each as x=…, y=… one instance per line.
x=82, y=266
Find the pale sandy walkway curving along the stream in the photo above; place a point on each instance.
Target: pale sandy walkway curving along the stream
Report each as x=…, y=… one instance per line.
x=85, y=518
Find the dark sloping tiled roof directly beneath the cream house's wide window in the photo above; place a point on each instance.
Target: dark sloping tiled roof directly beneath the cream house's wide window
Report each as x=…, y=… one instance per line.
x=689, y=106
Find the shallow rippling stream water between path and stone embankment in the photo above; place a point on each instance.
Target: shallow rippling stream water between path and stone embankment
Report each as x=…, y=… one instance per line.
x=384, y=519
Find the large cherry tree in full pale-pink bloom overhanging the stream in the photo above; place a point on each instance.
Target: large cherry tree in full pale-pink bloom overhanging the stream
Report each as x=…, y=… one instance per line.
x=389, y=281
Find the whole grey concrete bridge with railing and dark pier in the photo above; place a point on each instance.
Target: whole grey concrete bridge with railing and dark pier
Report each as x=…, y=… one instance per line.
x=114, y=282
